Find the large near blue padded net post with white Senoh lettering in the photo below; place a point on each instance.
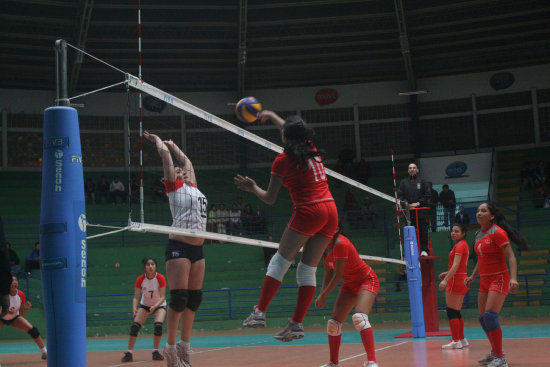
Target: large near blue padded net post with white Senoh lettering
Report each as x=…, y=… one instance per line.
x=63, y=239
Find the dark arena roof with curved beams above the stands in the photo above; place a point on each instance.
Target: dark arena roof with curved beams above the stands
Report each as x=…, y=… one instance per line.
x=236, y=45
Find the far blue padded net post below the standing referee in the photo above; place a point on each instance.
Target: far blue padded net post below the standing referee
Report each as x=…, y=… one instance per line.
x=414, y=280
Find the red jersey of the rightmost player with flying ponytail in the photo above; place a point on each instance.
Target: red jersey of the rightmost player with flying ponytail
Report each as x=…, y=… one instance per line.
x=488, y=247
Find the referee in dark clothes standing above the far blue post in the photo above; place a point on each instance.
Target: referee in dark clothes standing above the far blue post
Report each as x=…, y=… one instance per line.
x=413, y=190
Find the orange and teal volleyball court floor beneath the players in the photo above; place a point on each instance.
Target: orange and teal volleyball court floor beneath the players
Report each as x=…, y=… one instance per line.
x=524, y=345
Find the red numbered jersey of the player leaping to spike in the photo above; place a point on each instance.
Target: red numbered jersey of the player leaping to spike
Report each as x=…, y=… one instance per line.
x=305, y=187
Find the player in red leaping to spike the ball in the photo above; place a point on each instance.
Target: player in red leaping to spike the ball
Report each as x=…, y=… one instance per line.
x=312, y=225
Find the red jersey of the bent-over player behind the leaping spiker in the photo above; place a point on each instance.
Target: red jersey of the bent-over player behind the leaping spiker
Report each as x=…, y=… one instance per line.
x=356, y=269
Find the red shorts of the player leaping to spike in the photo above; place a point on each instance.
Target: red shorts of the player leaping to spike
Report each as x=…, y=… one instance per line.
x=318, y=218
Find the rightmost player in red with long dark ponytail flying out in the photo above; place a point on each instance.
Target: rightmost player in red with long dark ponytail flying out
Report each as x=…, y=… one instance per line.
x=492, y=246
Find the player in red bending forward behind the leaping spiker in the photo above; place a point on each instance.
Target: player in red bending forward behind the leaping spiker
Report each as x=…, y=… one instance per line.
x=358, y=290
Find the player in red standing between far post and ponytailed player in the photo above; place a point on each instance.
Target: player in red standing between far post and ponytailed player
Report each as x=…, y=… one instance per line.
x=453, y=282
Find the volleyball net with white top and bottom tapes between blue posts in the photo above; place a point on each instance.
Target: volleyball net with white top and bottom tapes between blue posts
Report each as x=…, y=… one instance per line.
x=219, y=147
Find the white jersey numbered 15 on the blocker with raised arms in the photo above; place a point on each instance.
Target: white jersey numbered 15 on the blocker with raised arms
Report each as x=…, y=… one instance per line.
x=187, y=204
